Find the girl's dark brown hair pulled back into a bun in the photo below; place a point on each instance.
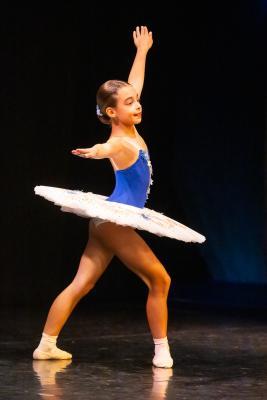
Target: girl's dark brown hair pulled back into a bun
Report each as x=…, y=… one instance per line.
x=106, y=96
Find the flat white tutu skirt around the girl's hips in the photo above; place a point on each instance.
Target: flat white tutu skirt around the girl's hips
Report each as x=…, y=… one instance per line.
x=88, y=204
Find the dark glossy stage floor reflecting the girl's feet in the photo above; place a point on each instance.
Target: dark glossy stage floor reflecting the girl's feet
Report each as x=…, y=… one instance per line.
x=217, y=355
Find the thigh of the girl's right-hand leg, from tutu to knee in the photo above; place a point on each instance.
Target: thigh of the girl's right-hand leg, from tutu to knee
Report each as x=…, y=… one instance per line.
x=132, y=250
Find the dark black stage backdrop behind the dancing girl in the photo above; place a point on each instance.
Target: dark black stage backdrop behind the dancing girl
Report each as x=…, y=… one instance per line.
x=204, y=122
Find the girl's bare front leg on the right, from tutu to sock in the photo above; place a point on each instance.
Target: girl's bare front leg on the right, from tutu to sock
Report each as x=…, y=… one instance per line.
x=133, y=251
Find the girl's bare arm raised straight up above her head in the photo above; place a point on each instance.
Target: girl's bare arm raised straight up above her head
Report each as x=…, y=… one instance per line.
x=143, y=41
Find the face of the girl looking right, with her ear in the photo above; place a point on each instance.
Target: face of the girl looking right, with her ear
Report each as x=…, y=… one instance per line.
x=128, y=110
